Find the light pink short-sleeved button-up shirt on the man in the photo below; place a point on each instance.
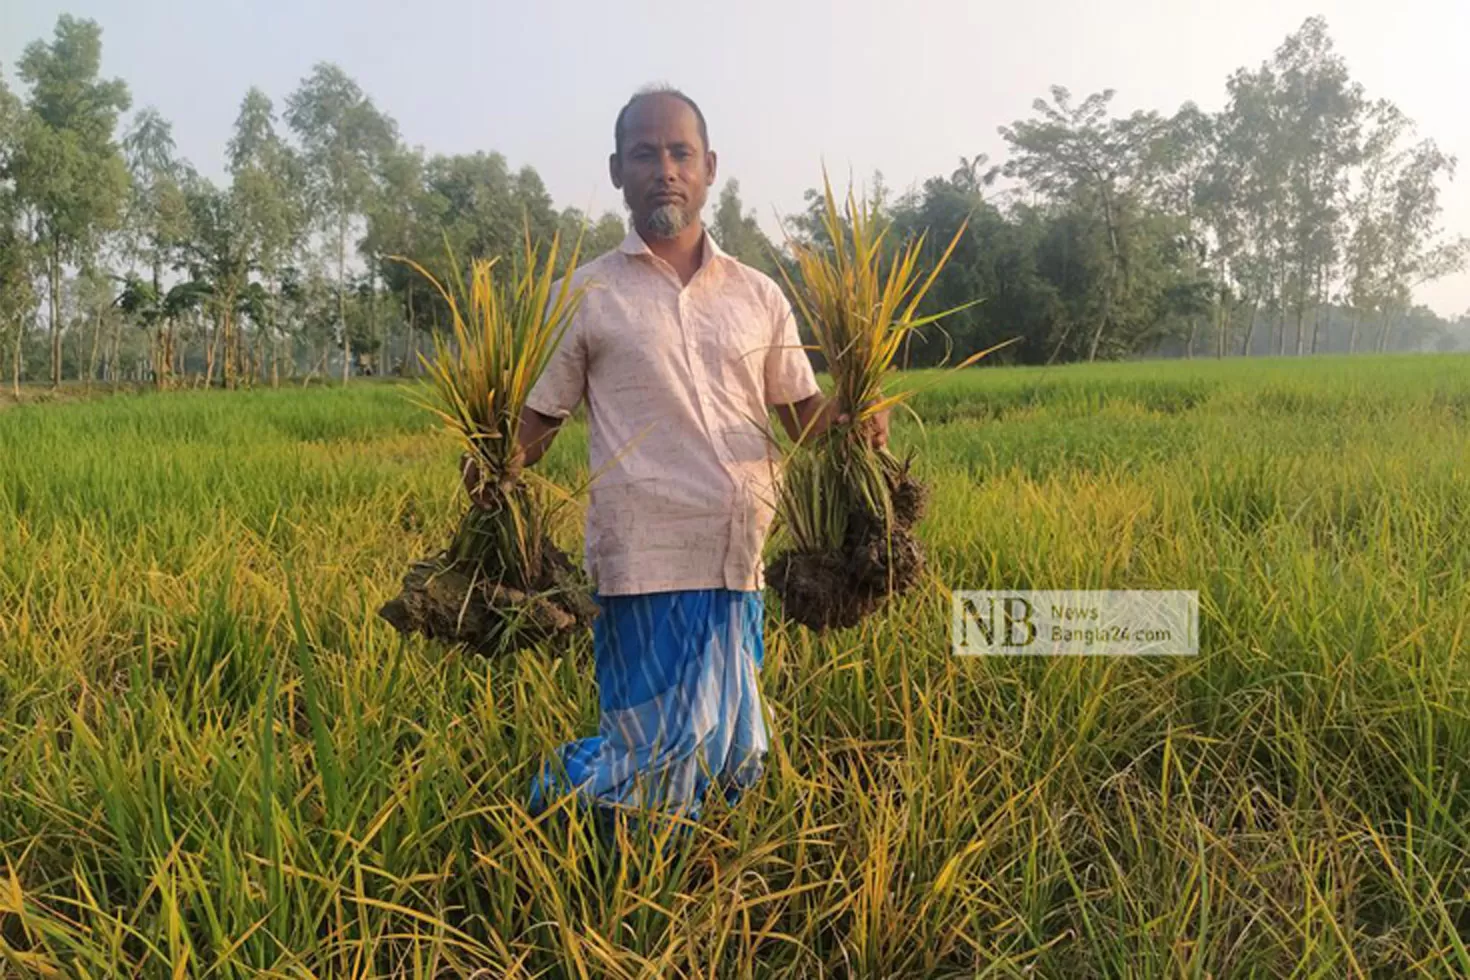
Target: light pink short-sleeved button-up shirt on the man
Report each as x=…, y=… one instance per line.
x=678, y=381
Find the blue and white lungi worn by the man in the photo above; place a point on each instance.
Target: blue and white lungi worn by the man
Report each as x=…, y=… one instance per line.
x=680, y=706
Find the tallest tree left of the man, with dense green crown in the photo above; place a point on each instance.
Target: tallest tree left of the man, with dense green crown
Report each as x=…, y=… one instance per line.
x=68, y=171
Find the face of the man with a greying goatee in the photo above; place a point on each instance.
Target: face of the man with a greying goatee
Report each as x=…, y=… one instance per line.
x=665, y=171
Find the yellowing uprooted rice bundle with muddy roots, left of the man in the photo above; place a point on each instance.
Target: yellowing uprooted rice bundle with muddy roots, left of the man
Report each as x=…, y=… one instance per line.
x=502, y=581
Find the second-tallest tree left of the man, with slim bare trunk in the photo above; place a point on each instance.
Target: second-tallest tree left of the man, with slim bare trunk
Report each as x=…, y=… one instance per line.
x=343, y=136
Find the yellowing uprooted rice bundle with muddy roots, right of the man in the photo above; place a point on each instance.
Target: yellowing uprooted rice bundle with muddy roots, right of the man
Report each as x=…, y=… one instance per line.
x=846, y=511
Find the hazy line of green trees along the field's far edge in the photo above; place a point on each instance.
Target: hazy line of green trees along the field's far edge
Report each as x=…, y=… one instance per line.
x=1297, y=220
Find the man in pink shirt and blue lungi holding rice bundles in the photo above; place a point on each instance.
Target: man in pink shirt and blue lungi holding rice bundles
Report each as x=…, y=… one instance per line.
x=681, y=352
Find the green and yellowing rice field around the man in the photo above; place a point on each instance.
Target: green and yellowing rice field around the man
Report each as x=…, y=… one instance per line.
x=217, y=762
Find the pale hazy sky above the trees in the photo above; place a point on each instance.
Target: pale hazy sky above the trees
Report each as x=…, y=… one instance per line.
x=784, y=83
